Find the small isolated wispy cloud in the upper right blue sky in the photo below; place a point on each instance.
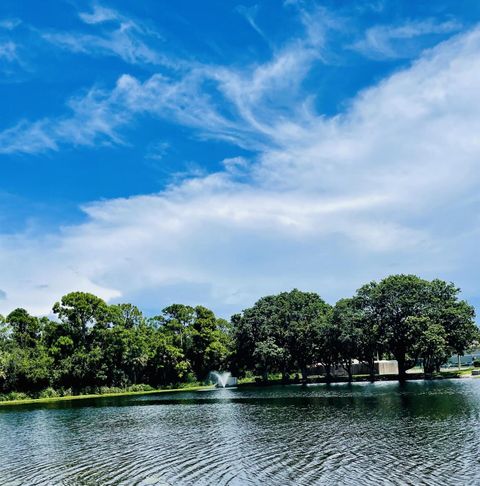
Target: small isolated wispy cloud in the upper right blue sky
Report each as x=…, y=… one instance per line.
x=394, y=41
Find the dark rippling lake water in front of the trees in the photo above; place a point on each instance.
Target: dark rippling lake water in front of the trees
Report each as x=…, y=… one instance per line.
x=419, y=433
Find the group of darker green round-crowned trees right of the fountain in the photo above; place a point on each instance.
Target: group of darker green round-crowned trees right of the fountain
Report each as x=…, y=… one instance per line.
x=402, y=316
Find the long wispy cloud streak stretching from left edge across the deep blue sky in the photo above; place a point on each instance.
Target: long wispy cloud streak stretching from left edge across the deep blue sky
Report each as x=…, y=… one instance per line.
x=235, y=107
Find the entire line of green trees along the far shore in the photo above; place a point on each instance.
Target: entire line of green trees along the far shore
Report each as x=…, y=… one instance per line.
x=90, y=344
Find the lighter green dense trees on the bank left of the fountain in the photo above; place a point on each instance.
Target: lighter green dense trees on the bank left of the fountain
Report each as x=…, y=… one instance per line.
x=97, y=348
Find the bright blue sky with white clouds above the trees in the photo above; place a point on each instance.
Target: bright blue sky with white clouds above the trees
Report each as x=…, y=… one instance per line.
x=214, y=152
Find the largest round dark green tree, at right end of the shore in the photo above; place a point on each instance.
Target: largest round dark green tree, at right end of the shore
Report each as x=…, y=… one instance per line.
x=395, y=305
